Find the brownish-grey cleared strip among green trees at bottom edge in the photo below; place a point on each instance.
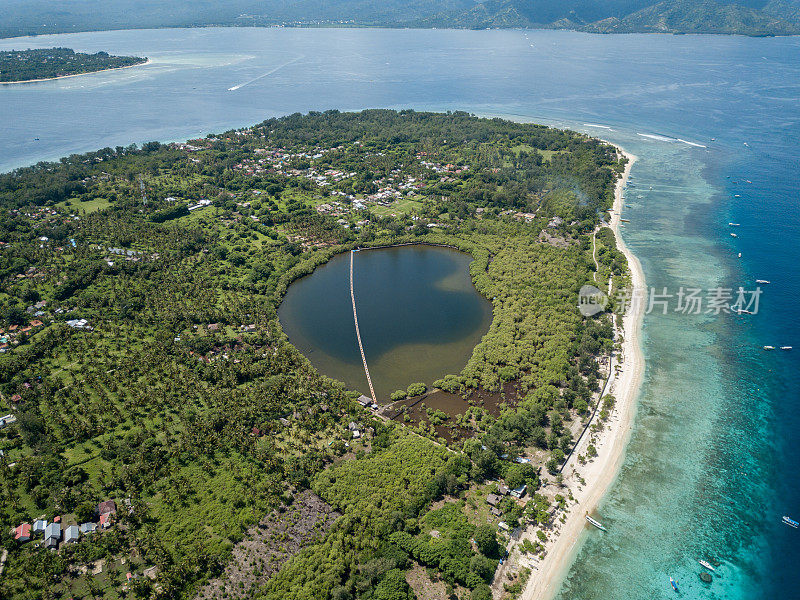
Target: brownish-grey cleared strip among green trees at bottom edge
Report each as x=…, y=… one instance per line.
x=268, y=545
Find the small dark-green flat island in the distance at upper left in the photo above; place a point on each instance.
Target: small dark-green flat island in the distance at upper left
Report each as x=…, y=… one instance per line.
x=52, y=63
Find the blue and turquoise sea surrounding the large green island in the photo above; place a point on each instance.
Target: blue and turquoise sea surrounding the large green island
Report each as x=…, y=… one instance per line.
x=712, y=462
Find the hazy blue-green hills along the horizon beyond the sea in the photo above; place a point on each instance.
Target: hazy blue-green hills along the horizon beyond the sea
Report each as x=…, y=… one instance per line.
x=747, y=17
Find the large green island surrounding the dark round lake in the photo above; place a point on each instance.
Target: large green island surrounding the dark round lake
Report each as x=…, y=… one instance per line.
x=167, y=440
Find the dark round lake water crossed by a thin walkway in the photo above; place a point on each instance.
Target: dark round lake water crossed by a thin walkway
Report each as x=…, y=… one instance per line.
x=418, y=312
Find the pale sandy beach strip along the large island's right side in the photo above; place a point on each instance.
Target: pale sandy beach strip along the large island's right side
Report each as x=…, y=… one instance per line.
x=562, y=545
